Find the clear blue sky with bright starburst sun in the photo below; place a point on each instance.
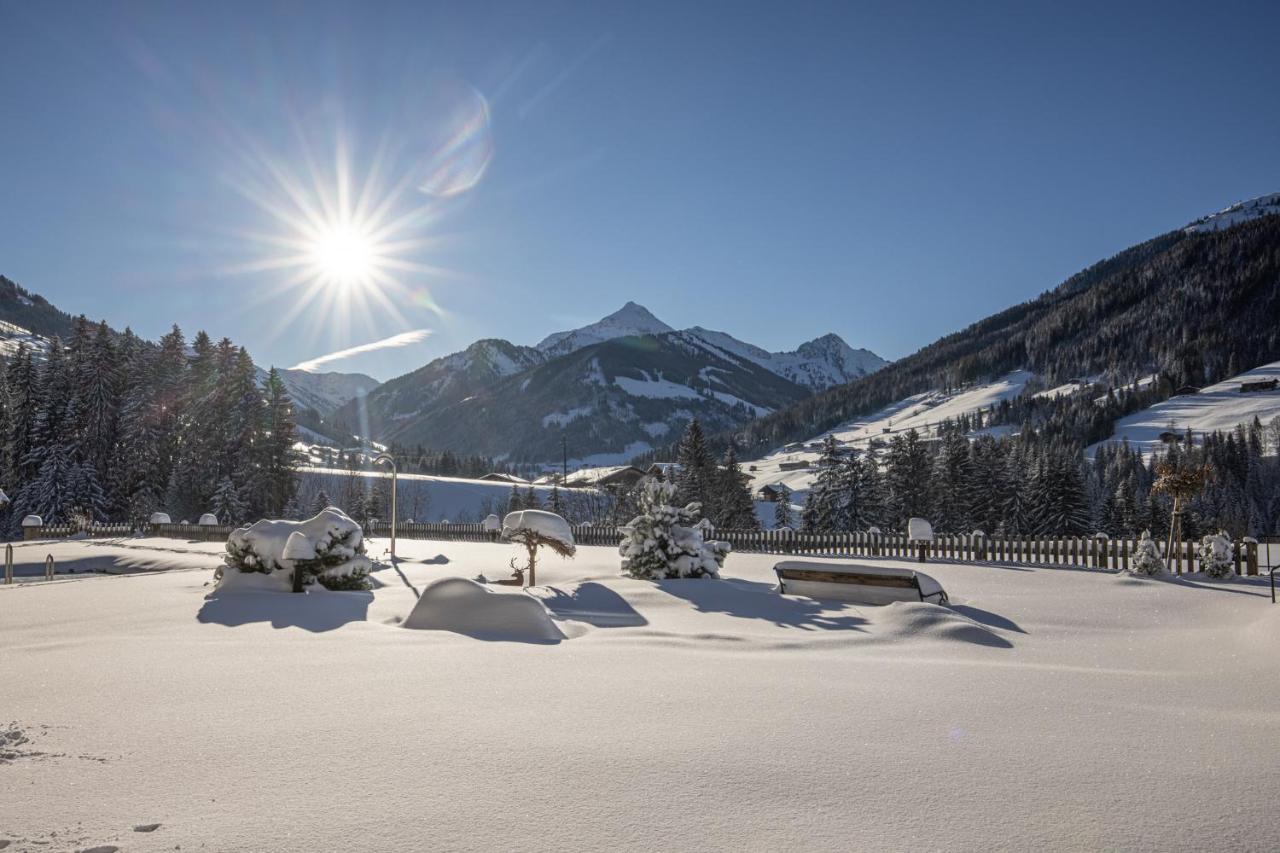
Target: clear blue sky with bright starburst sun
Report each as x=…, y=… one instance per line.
x=888, y=172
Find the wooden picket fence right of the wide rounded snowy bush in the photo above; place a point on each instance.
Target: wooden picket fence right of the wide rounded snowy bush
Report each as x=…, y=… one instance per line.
x=1086, y=553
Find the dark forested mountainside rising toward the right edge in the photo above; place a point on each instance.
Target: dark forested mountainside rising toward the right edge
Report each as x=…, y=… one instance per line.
x=1194, y=307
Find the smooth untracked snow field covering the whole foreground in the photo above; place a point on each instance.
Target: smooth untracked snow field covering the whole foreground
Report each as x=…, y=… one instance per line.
x=1050, y=709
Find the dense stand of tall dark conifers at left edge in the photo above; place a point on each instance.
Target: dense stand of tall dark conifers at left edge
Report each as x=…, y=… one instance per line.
x=112, y=428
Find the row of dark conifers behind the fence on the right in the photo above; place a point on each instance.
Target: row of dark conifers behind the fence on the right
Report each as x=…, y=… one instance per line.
x=1030, y=485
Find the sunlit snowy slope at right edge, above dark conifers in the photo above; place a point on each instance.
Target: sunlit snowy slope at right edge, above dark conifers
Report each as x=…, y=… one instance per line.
x=1217, y=408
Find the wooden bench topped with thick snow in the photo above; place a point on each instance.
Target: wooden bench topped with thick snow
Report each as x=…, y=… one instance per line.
x=857, y=583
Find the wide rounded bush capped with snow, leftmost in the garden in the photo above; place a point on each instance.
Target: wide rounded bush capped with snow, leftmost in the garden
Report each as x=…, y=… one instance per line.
x=330, y=549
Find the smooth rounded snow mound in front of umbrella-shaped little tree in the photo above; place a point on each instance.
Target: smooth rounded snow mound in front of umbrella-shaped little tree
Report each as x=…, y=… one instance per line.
x=464, y=606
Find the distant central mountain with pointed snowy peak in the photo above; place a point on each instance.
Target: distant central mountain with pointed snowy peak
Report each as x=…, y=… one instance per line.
x=614, y=390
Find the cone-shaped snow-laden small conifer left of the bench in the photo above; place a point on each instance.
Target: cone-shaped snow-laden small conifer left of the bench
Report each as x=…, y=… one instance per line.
x=665, y=541
